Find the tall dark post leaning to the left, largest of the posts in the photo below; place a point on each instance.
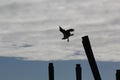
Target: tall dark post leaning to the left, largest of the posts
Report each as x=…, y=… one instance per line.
x=90, y=56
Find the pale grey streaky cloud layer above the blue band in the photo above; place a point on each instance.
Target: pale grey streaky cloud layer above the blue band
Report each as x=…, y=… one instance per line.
x=29, y=29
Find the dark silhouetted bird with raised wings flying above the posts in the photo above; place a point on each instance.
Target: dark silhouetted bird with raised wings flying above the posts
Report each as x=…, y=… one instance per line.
x=66, y=33
